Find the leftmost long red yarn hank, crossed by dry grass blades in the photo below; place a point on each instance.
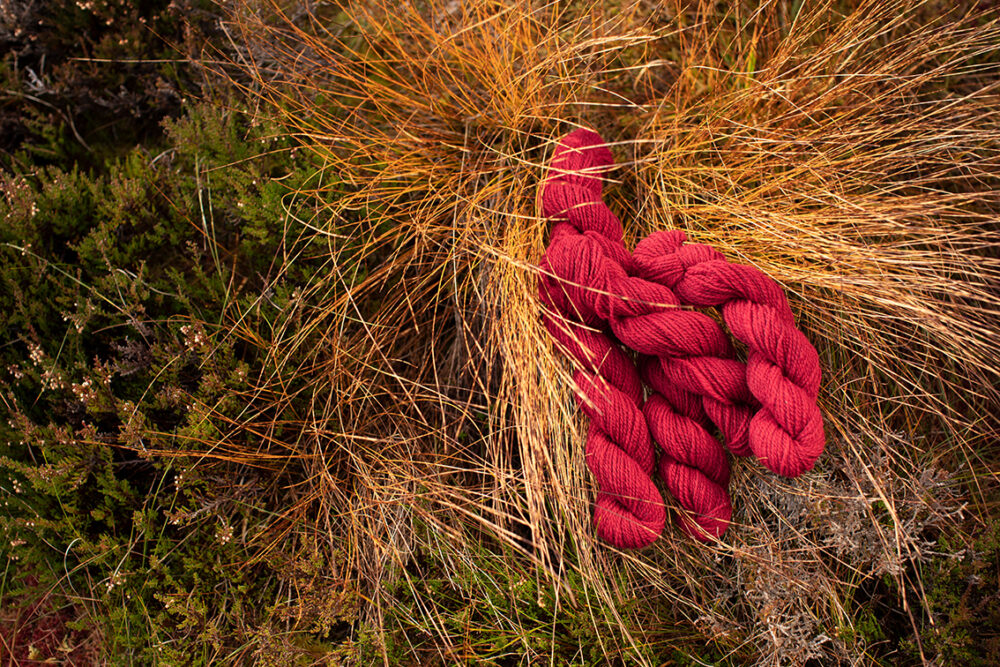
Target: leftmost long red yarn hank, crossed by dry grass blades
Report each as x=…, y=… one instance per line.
x=629, y=511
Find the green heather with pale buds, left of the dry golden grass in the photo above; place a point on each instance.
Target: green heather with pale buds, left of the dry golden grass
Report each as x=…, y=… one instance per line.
x=121, y=380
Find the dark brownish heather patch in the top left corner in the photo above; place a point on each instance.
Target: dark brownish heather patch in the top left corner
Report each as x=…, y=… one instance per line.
x=84, y=80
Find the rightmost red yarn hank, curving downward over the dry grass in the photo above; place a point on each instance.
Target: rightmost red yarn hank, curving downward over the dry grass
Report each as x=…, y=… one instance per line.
x=783, y=370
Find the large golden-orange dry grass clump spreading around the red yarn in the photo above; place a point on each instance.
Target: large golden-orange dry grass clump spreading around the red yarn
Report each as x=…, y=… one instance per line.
x=850, y=150
